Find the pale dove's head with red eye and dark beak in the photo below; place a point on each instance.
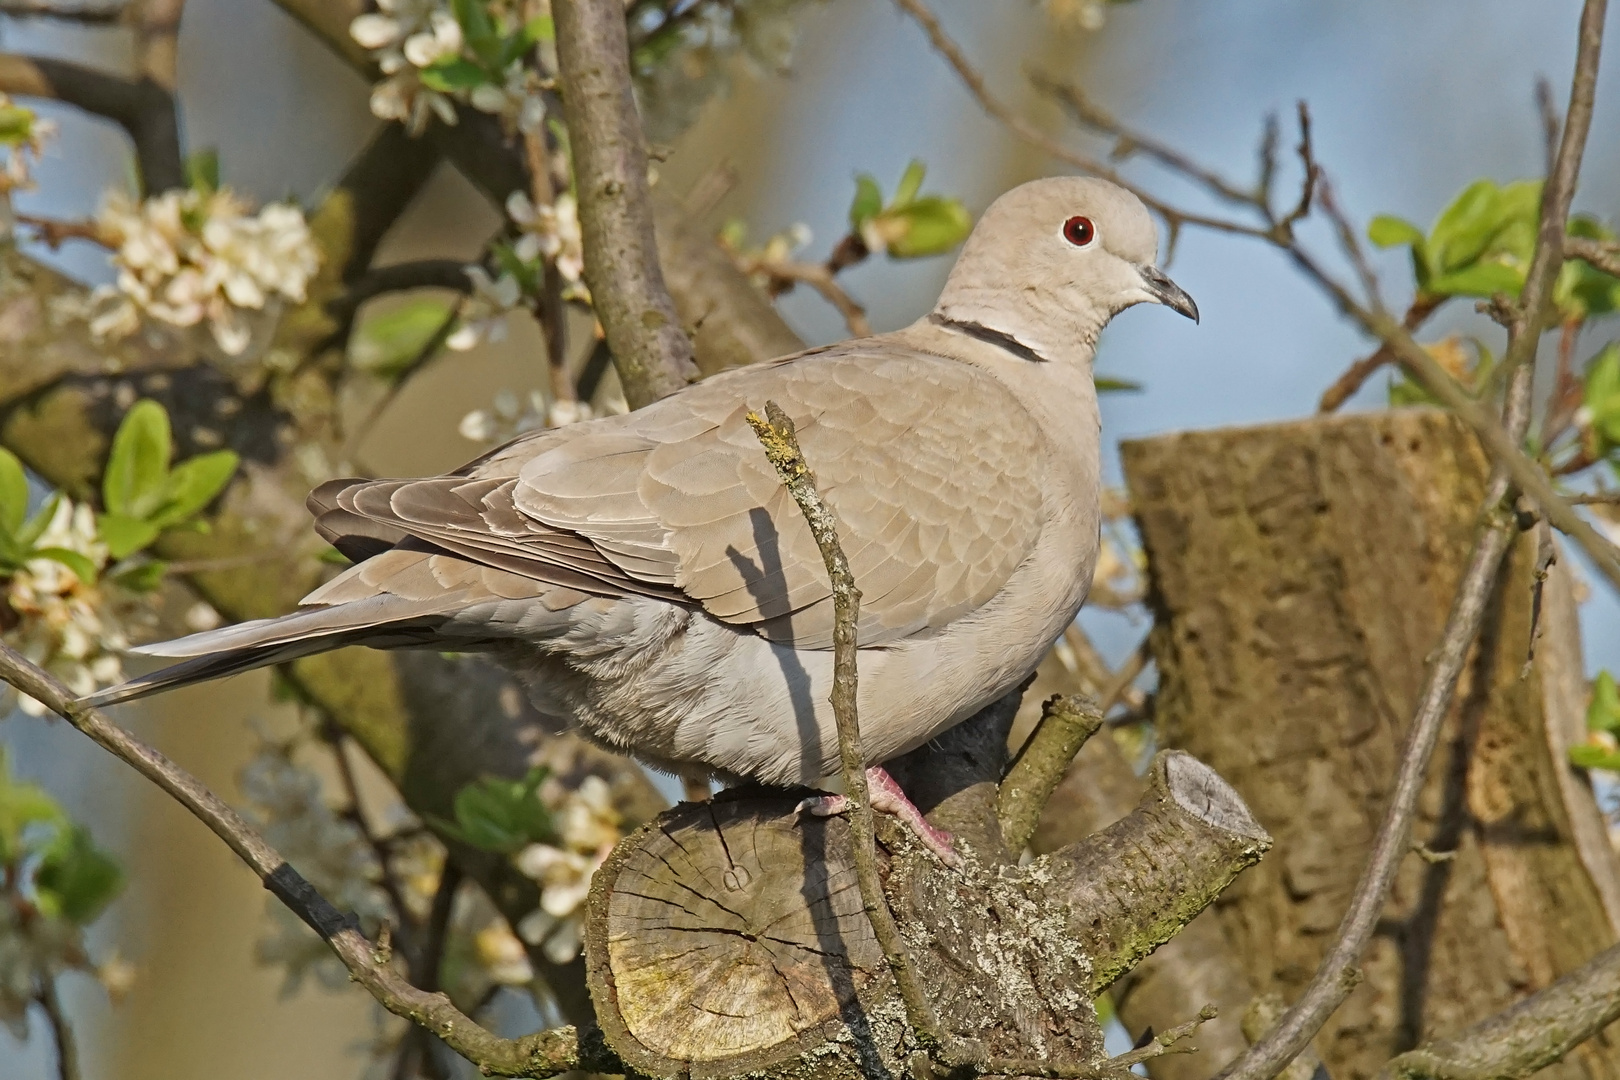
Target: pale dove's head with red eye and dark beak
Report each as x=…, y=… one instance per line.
x=1052, y=261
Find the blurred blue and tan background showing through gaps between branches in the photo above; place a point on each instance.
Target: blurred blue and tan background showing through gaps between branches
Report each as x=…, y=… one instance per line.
x=1412, y=101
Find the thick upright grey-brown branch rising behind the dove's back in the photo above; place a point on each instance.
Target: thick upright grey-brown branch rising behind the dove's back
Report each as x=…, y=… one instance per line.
x=650, y=351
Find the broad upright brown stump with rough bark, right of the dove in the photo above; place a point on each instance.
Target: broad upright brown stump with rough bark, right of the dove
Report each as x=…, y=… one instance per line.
x=1302, y=576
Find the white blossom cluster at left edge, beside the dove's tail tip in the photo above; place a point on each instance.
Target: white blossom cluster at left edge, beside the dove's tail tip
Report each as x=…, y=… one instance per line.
x=70, y=627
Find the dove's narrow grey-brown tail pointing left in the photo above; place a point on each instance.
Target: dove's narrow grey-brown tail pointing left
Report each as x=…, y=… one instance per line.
x=378, y=621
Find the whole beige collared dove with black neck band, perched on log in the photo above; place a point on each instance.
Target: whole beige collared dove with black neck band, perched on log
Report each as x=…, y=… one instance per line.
x=650, y=579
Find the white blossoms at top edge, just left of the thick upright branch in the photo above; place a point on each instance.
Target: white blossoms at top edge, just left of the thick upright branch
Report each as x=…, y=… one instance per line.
x=428, y=67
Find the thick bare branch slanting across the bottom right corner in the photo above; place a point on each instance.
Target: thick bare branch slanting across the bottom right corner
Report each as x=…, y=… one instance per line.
x=1528, y=1037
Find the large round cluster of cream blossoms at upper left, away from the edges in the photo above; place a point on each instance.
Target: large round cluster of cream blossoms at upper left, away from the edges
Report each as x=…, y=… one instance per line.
x=194, y=257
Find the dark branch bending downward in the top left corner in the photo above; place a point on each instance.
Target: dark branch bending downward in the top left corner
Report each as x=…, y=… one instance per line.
x=143, y=109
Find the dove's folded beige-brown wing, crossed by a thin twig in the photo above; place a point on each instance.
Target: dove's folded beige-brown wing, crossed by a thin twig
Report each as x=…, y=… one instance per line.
x=929, y=464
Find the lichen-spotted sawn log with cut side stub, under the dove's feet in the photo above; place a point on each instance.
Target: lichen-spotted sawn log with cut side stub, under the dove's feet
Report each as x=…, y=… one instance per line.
x=730, y=938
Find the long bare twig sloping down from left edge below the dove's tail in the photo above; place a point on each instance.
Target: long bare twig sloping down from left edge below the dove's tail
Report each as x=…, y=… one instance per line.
x=540, y=1055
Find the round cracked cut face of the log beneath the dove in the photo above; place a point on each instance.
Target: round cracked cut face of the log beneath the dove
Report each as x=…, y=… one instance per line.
x=723, y=938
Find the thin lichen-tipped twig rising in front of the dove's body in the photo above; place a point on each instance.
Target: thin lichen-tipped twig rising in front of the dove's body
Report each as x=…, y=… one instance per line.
x=777, y=435
